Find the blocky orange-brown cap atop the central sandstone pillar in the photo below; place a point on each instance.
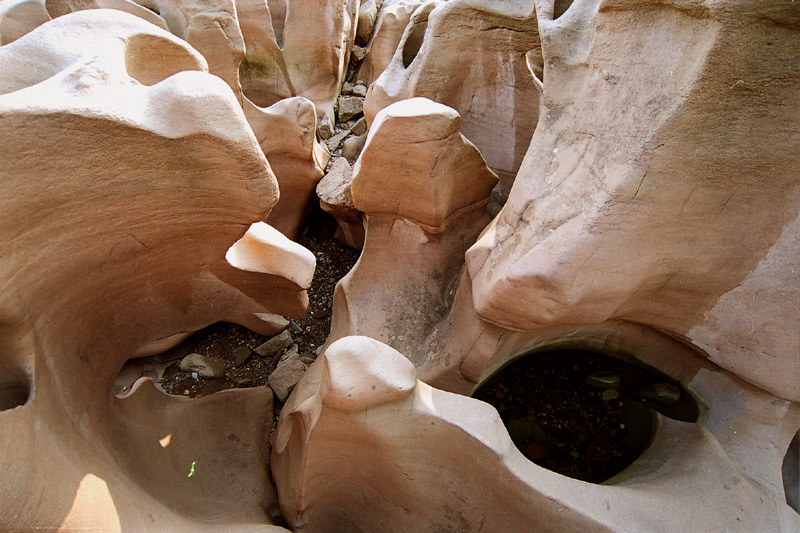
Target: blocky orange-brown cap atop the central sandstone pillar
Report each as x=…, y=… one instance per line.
x=417, y=165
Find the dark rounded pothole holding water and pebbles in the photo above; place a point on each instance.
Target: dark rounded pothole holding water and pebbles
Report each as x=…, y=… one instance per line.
x=582, y=414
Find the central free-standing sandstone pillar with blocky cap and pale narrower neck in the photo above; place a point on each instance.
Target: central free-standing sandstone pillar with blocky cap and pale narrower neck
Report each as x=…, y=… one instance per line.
x=423, y=188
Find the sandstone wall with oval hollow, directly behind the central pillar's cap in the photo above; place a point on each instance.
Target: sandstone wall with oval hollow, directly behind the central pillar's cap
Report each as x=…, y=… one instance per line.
x=452, y=67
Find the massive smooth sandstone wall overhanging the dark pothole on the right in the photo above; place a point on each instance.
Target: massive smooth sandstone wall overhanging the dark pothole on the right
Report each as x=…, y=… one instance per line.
x=632, y=197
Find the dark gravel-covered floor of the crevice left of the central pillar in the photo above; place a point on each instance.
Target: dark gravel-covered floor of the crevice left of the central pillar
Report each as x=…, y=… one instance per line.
x=224, y=340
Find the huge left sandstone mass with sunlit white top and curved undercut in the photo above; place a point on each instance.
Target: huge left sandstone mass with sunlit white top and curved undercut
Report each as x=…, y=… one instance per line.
x=129, y=174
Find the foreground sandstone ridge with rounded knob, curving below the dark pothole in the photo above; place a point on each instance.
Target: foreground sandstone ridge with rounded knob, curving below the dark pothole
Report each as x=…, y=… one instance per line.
x=362, y=443
